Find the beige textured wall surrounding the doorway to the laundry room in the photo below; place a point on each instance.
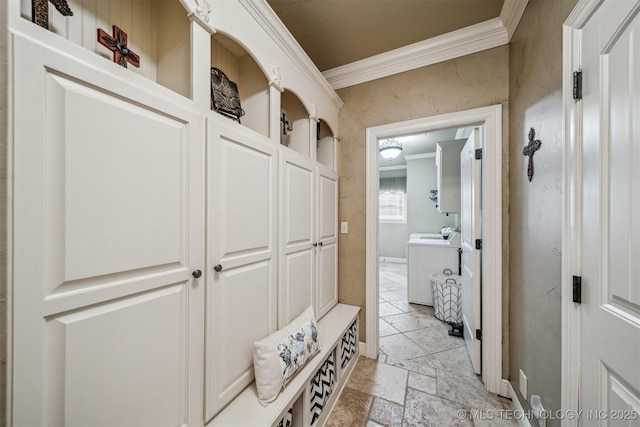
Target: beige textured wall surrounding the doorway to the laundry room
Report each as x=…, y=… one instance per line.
x=469, y=82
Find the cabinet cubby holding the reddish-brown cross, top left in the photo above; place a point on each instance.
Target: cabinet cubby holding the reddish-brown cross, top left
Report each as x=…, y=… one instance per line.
x=158, y=32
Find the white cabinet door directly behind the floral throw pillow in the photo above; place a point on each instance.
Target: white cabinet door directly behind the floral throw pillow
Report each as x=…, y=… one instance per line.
x=241, y=255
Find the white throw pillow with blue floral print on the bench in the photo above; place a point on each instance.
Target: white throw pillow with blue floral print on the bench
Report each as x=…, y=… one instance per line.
x=279, y=356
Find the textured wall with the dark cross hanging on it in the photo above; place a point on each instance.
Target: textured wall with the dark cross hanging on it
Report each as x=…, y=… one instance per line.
x=535, y=90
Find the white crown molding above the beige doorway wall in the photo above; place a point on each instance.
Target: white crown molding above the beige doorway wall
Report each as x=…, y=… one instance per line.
x=465, y=41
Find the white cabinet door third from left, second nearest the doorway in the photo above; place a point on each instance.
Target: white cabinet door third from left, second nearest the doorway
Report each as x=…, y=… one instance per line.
x=296, y=290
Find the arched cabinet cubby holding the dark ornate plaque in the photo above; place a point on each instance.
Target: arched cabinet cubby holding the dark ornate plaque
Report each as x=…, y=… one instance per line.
x=238, y=65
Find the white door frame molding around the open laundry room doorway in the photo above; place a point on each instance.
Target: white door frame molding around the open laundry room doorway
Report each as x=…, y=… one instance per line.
x=491, y=118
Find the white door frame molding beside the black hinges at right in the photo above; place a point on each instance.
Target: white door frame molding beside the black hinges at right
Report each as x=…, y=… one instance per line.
x=572, y=204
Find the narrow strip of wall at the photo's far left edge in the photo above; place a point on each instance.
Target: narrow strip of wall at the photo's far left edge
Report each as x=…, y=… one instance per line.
x=3, y=211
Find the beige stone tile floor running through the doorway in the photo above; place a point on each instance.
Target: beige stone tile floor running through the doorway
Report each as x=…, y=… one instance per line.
x=423, y=377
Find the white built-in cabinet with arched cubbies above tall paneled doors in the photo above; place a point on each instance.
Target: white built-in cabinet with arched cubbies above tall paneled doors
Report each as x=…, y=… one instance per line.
x=152, y=239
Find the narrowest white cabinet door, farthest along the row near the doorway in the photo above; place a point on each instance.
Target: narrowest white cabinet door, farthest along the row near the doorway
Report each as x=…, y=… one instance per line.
x=327, y=239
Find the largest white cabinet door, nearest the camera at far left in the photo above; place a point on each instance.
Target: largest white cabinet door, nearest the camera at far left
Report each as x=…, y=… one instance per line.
x=107, y=218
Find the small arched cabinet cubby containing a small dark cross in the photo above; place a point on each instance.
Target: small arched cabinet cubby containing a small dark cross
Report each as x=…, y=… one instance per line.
x=294, y=124
